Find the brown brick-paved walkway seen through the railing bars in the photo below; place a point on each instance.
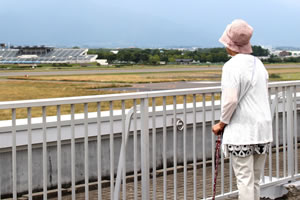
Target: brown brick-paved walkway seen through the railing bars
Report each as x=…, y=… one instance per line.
x=93, y=194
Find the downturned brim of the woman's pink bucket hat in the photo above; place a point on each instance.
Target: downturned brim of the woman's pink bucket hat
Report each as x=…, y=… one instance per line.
x=228, y=43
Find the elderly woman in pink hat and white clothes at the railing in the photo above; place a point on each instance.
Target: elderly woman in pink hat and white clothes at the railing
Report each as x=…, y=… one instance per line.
x=245, y=110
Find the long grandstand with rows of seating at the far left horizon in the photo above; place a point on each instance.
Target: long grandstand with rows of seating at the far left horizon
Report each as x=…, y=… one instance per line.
x=43, y=54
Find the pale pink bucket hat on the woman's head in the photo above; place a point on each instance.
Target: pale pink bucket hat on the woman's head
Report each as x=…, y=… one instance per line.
x=237, y=36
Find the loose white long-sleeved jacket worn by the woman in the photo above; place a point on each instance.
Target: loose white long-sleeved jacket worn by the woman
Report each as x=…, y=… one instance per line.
x=245, y=104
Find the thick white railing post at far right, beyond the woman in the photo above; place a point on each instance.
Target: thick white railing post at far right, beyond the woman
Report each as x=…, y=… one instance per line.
x=290, y=131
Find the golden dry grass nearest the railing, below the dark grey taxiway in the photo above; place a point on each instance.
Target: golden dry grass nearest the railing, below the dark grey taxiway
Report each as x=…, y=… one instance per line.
x=21, y=90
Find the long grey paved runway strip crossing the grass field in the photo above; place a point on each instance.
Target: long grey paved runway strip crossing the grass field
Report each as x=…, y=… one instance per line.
x=107, y=71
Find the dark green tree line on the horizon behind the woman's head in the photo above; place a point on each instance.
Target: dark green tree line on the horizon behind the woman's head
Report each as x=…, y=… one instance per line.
x=155, y=56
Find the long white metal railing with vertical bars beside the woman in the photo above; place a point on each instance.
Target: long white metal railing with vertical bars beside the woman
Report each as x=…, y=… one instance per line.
x=149, y=145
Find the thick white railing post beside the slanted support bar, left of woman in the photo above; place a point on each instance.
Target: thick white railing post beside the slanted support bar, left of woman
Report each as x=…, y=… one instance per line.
x=145, y=148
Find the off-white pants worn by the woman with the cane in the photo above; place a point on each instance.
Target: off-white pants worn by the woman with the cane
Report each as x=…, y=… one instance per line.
x=248, y=172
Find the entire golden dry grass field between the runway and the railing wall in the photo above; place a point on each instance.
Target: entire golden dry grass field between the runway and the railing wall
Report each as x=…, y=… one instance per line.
x=37, y=87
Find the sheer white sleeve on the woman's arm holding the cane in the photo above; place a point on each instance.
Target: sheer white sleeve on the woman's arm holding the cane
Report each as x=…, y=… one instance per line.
x=230, y=93
